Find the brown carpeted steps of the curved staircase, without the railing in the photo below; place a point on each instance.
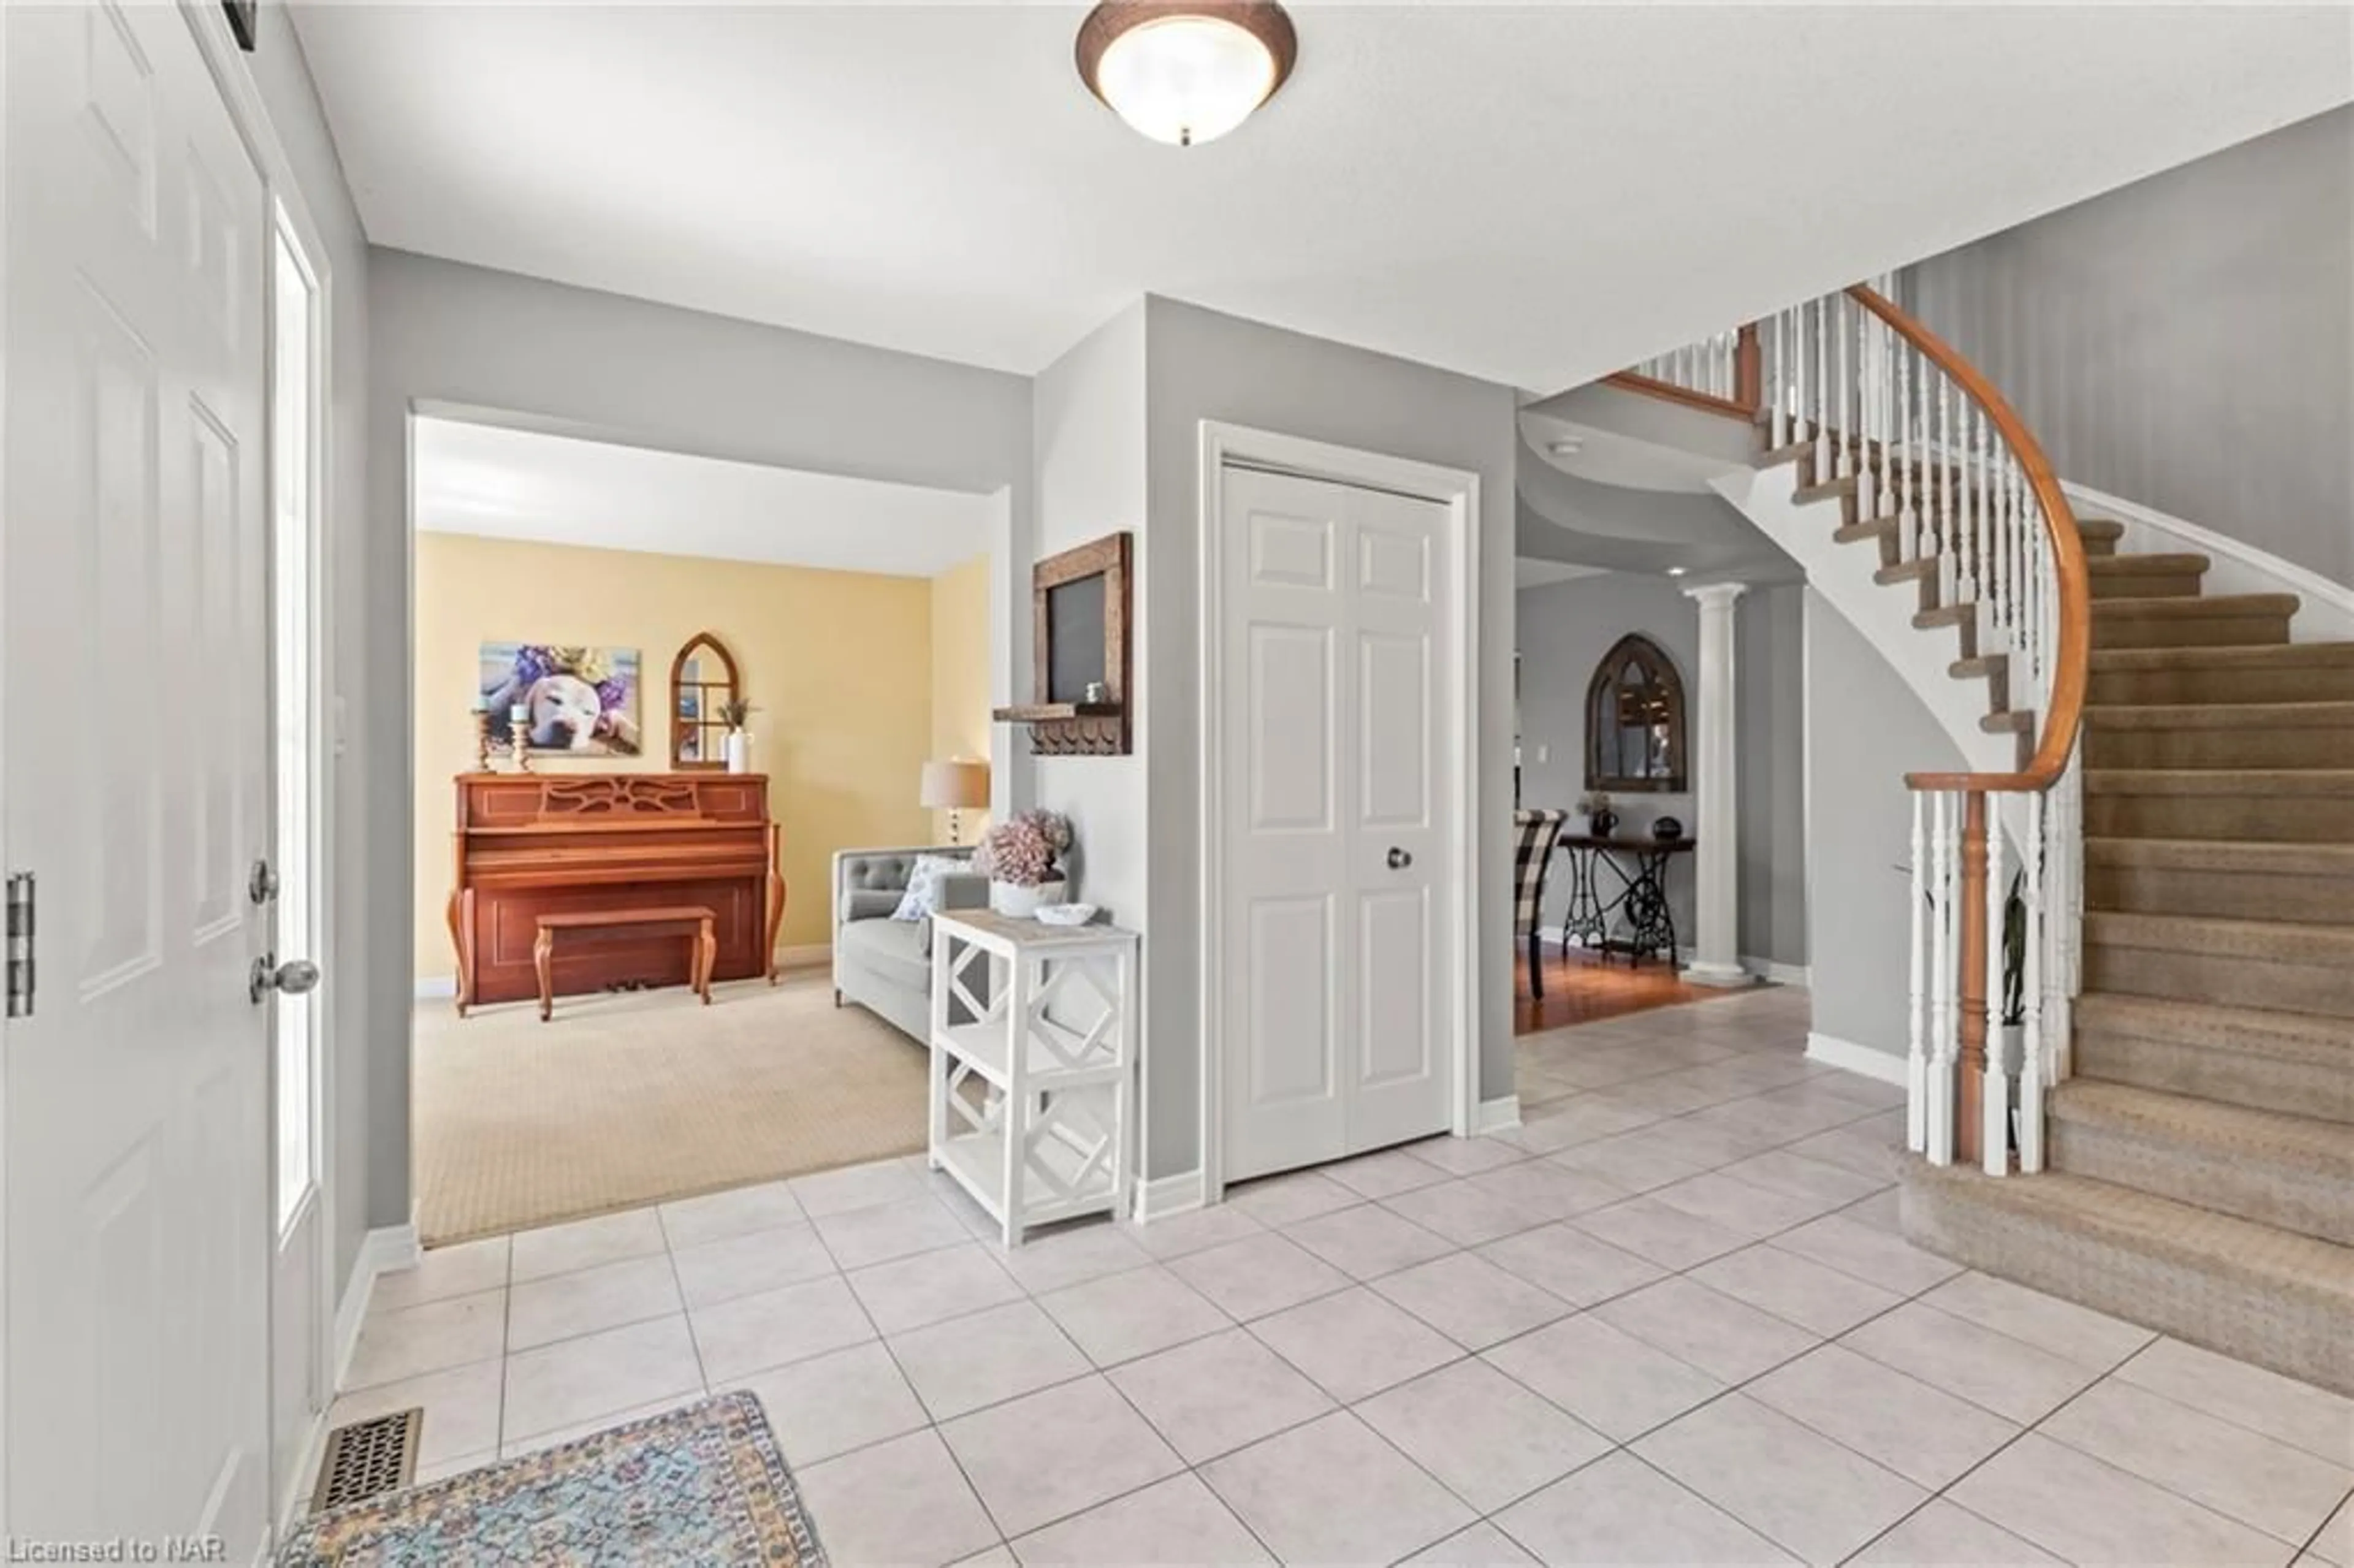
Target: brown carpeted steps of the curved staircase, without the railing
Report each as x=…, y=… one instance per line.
x=2202, y=1155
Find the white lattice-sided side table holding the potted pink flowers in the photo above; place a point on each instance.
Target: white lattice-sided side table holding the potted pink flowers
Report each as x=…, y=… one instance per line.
x=1046, y=1016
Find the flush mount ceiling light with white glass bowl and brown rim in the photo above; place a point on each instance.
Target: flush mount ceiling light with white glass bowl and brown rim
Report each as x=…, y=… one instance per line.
x=1185, y=72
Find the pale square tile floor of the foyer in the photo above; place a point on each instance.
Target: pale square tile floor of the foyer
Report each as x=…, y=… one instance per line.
x=1665, y=1322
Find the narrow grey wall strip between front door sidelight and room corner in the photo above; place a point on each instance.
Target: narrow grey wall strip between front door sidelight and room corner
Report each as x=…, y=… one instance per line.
x=302, y=131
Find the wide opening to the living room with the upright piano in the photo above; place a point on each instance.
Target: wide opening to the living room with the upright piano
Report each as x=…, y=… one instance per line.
x=679, y=729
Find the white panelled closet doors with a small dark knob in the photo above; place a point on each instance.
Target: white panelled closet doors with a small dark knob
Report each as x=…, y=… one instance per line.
x=1338, y=882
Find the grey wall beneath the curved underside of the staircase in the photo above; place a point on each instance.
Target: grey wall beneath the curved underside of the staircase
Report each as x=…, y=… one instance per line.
x=1866, y=733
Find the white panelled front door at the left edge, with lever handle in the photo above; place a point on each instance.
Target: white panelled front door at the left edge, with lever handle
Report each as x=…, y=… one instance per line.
x=135, y=788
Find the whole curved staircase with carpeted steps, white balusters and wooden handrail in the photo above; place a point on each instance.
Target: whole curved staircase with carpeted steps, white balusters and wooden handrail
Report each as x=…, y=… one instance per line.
x=2160, y=1122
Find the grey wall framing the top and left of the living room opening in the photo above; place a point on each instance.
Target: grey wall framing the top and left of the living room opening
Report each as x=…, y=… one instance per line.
x=587, y=364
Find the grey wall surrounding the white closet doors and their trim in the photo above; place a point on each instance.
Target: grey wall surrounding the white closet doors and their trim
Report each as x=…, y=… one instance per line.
x=1209, y=366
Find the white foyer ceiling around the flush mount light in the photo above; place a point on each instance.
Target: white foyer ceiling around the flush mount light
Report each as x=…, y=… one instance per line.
x=1529, y=194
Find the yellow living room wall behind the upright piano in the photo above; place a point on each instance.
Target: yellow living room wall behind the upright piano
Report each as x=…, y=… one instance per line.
x=839, y=665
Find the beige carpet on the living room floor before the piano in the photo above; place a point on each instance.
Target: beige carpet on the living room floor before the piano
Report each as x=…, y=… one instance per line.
x=639, y=1098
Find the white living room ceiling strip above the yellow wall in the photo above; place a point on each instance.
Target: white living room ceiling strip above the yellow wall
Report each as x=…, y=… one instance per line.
x=477, y=479
